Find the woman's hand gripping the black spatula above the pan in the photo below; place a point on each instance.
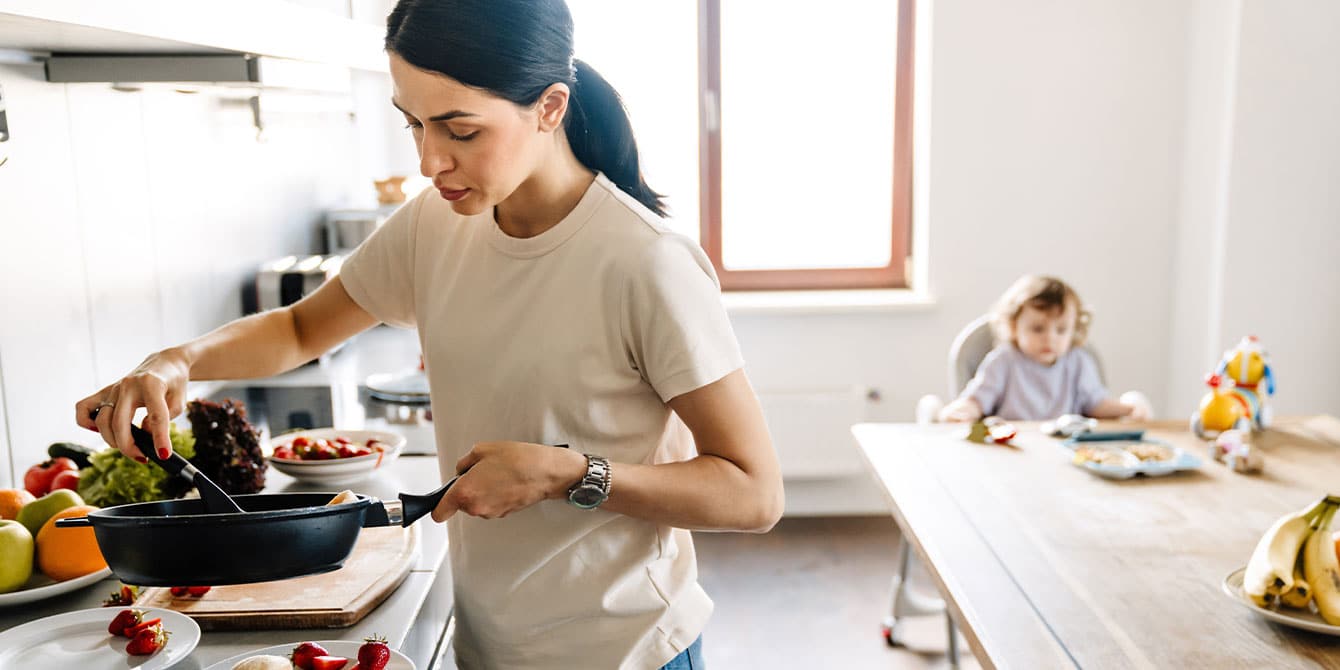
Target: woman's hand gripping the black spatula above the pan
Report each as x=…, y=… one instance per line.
x=159, y=385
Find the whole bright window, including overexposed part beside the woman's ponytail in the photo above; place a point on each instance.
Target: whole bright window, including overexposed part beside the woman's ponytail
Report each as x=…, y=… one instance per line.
x=802, y=120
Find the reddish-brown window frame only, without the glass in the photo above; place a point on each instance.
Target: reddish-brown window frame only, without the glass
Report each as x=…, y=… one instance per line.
x=894, y=275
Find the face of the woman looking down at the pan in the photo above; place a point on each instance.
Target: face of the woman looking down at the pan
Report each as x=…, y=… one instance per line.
x=476, y=148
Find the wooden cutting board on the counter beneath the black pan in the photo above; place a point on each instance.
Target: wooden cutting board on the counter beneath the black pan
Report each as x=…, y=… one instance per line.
x=381, y=561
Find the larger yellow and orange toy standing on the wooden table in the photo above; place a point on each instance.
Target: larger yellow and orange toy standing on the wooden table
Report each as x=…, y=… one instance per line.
x=1236, y=400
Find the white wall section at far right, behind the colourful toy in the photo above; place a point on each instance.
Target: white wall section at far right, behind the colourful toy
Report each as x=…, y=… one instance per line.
x=1280, y=277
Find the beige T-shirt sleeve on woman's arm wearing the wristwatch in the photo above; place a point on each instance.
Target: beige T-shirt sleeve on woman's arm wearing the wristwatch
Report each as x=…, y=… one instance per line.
x=675, y=326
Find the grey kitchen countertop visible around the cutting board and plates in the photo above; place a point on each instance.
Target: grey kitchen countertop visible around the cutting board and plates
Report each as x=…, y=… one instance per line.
x=416, y=618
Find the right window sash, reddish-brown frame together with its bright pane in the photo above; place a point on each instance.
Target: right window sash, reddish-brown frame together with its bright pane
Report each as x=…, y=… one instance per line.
x=806, y=140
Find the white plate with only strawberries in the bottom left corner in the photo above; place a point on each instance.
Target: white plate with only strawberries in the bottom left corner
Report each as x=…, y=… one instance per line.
x=80, y=640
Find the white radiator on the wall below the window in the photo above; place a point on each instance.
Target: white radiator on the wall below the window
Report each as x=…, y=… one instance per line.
x=811, y=429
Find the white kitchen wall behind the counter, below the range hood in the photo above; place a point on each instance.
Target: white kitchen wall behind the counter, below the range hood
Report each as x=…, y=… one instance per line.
x=129, y=222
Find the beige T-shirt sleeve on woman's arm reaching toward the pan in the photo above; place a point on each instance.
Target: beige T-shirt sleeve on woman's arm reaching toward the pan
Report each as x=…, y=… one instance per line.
x=380, y=274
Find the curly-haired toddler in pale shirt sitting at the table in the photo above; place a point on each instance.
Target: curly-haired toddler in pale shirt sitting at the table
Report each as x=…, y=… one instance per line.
x=1038, y=369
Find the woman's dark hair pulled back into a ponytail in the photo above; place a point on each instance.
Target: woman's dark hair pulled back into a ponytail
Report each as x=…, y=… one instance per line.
x=515, y=50
